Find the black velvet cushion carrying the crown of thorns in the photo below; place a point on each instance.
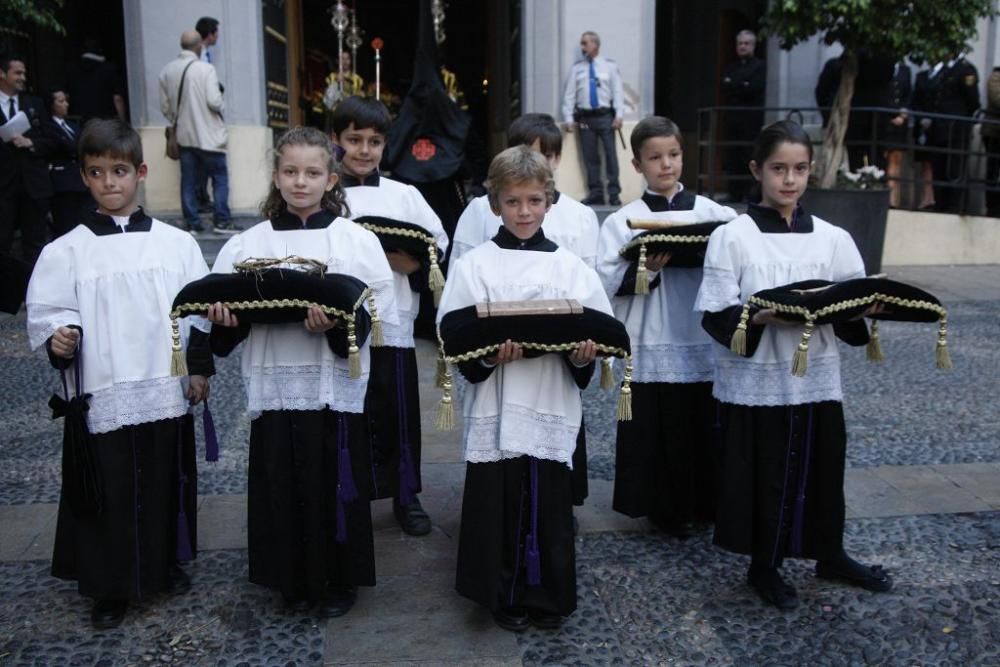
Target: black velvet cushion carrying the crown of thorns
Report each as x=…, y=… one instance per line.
x=272, y=296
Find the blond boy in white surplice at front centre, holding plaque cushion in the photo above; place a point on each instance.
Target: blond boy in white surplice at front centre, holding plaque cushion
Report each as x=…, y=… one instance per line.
x=516, y=551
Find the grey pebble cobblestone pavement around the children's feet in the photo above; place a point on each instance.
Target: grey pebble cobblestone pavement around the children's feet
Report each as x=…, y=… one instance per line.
x=644, y=598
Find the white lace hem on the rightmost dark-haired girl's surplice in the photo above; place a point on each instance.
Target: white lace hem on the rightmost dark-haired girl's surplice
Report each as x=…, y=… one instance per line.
x=748, y=382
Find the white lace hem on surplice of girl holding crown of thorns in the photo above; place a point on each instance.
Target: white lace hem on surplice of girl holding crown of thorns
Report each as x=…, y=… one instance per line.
x=308, y=387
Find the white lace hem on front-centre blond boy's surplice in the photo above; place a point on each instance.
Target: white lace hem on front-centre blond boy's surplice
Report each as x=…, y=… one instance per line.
x=520, y=431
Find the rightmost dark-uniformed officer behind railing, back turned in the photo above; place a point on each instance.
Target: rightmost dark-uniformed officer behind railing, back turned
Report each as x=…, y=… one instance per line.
x=957, y=94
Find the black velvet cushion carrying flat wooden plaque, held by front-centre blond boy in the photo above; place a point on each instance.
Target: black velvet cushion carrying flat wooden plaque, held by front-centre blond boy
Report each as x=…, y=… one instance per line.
x=463, y=333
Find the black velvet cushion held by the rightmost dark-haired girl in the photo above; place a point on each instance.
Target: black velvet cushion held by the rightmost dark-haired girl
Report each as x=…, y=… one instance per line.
x=844, y=301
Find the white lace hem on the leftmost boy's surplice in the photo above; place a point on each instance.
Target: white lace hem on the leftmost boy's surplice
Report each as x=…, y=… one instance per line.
x=139, y=402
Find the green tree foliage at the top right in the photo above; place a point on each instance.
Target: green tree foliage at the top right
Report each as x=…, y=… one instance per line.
x=923, y=30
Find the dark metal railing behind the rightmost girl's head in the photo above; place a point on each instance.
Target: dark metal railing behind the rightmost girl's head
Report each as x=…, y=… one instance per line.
x=965, y=167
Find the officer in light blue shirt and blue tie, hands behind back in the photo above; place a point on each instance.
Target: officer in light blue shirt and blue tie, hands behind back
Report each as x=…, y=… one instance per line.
x=594, y=102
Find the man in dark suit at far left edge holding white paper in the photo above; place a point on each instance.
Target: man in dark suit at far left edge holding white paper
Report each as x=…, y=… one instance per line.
x=25, y=188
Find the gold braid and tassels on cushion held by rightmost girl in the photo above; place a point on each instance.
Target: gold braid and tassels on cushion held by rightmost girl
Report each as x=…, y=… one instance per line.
x=799, y=359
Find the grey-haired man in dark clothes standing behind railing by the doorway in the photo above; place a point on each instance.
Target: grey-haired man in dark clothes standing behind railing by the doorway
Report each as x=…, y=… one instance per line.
x=743, y=83
